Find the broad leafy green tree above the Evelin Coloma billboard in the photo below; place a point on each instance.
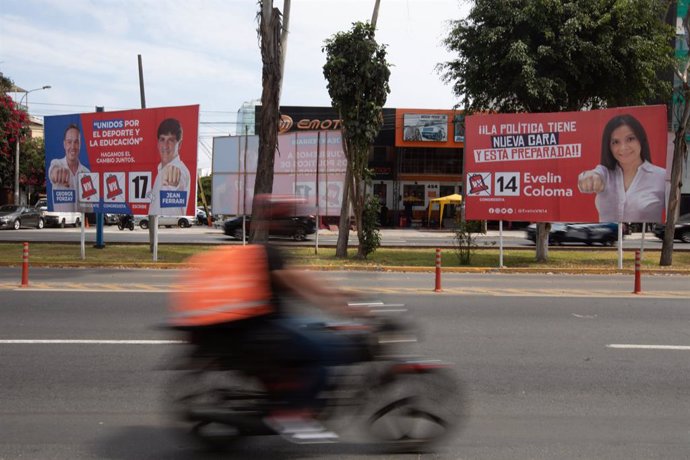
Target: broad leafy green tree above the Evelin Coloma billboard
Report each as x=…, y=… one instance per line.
x=558, y=55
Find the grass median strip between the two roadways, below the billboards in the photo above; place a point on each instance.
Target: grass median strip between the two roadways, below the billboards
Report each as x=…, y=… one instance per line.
x=47, y=254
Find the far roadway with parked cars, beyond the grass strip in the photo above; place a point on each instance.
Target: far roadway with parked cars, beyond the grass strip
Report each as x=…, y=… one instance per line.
x=389, y=237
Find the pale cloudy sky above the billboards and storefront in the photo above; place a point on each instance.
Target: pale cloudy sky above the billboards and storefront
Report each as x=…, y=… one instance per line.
x=207, y=52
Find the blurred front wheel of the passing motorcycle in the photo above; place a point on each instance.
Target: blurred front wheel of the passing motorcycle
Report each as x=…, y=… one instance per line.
x=416, y=411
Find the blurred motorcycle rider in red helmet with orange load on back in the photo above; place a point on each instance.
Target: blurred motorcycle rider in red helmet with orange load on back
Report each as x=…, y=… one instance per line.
x=238, y=297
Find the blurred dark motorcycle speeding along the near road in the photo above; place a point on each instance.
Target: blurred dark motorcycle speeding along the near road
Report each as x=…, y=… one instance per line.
x=396, y=401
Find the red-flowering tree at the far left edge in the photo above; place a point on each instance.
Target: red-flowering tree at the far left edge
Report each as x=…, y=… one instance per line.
x=14, y=127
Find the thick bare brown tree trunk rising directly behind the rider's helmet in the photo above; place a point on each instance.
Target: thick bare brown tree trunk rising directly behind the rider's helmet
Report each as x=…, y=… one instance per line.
x=273, y=39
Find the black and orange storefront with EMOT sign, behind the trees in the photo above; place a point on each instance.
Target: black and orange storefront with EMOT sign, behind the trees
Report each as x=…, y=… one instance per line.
x=416, y=157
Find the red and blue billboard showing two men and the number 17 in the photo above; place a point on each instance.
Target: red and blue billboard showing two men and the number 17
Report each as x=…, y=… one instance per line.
x=140, y=162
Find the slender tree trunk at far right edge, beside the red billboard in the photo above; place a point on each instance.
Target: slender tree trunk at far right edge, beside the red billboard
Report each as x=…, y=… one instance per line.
x=681, y=122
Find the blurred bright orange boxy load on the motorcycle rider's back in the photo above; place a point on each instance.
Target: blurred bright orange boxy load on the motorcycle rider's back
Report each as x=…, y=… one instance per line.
x=225, y=284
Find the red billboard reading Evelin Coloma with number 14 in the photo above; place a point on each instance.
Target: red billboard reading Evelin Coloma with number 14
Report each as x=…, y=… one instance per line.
x=595, y=166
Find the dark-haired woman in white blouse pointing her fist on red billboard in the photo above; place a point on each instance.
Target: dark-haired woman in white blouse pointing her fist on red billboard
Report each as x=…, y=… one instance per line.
x=629, y=187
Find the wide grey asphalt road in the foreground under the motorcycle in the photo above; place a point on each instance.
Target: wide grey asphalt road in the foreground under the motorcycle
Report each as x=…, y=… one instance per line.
x=554, y=366
